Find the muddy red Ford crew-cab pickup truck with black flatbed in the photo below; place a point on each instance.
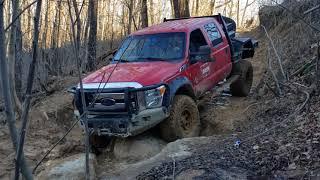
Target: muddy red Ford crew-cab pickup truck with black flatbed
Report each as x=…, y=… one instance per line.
x=158, y=74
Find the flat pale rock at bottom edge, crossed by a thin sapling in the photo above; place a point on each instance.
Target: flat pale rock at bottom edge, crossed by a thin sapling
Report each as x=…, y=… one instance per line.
x=72, y=167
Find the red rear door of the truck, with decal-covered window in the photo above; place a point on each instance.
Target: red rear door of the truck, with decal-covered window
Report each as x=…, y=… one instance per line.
x=220, y=52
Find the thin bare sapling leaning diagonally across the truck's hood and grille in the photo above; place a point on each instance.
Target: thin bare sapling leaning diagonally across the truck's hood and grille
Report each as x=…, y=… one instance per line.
x=78, y=119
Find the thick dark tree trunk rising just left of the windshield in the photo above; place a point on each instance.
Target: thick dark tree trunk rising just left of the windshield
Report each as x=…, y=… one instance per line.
x=92, y=42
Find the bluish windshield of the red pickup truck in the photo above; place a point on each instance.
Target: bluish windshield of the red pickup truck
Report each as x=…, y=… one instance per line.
x=158, y=47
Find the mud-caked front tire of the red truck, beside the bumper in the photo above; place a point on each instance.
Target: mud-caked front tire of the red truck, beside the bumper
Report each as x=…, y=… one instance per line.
x=184, y=120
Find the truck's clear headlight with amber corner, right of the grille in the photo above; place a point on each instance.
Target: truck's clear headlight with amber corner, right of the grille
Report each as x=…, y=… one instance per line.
x=154, y=97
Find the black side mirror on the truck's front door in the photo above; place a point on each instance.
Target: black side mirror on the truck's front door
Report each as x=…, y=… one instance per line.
x=202, y=55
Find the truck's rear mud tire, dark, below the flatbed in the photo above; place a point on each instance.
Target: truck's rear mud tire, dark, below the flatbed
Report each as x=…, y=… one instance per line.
x=241, y=87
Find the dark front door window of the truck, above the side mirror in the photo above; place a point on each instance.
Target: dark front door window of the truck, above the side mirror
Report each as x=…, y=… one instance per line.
x=196, y=40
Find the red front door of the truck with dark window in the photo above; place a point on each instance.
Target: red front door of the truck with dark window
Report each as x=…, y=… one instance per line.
x=198, y=71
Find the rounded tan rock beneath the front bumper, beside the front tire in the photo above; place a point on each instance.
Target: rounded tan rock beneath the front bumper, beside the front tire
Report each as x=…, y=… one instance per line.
x=138, y=148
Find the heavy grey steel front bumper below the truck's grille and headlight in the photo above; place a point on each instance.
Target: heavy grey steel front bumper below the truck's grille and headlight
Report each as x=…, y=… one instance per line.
x=125, y=125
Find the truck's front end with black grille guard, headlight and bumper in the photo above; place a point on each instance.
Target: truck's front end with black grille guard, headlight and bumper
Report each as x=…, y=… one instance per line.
x=123, y=111
